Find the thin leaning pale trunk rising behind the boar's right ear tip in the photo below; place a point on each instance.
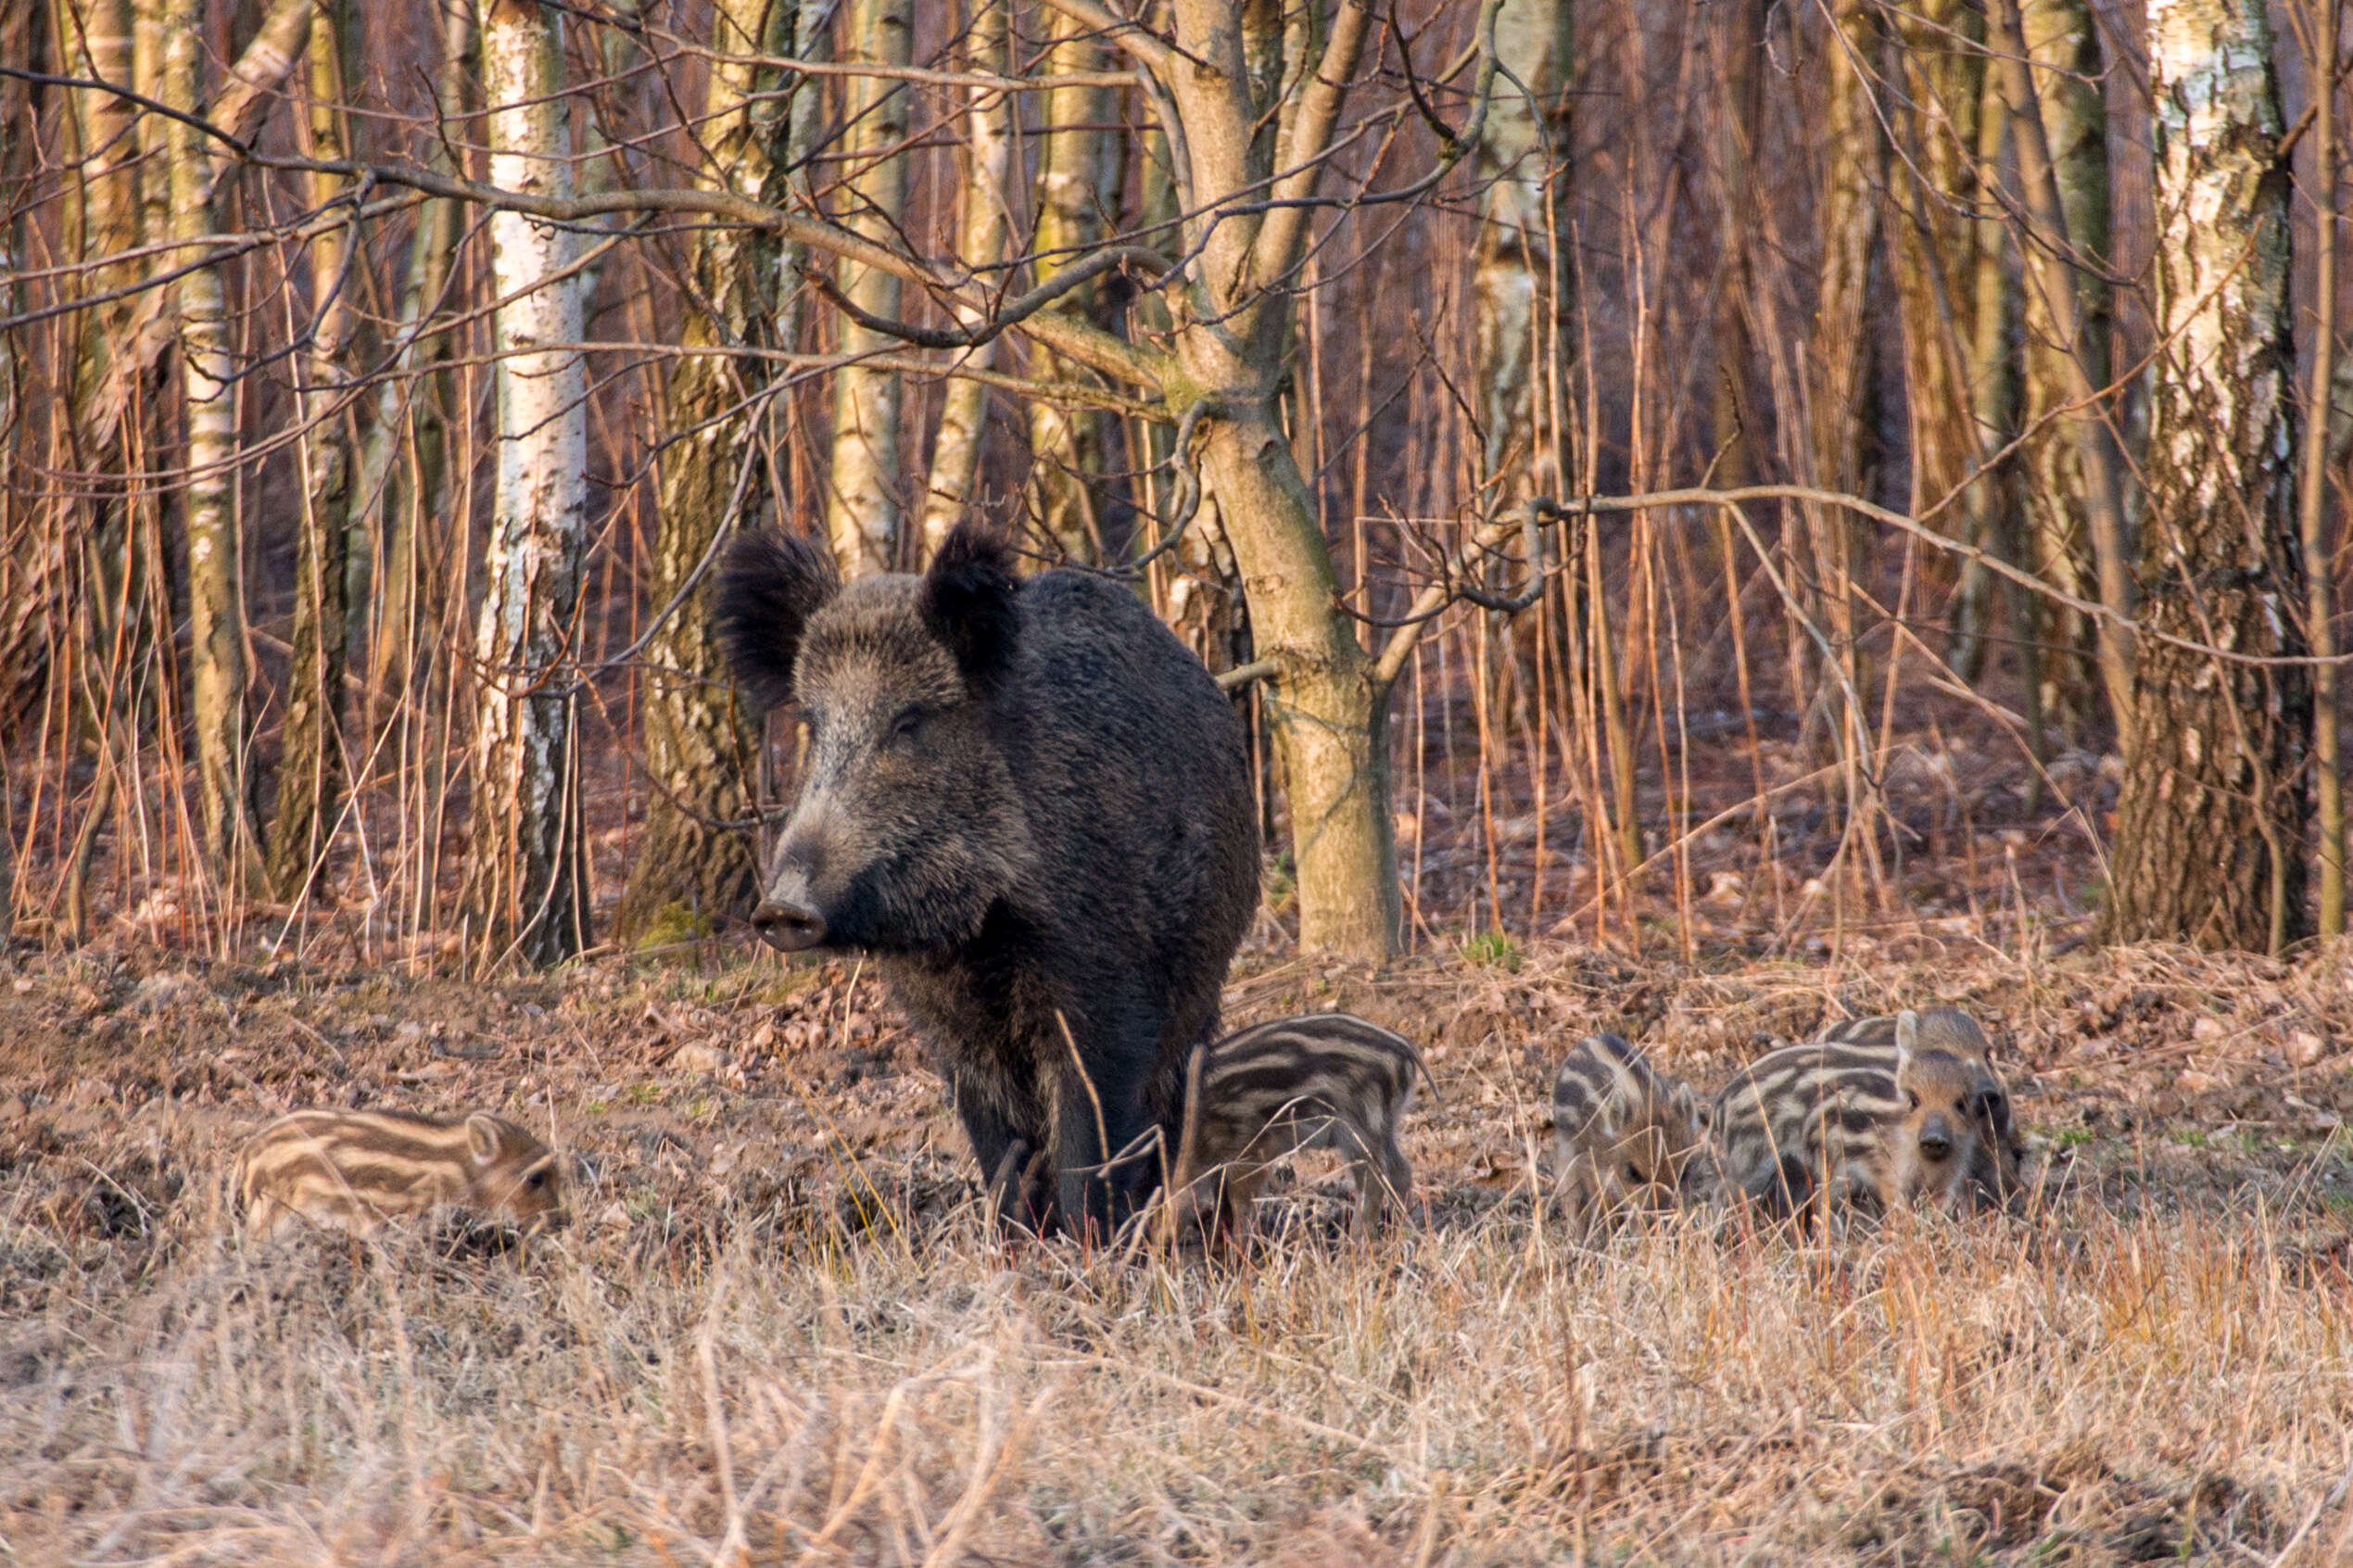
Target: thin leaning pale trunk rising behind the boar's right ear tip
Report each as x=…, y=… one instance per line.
x=982, y=234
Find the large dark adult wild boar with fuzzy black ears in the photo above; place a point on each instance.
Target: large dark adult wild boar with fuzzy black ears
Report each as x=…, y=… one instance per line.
x=1034, y=809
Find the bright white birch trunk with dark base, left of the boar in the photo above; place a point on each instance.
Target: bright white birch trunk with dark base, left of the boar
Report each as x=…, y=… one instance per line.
x=526, y=875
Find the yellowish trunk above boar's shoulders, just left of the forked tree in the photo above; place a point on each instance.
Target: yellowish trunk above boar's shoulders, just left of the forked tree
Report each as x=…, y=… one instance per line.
x=1076, y=187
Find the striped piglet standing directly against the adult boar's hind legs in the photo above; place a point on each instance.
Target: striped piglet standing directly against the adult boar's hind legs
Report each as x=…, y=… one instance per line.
x=1319, y=1082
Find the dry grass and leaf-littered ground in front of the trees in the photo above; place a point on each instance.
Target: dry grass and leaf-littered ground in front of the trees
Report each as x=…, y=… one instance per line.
x=778, y=1329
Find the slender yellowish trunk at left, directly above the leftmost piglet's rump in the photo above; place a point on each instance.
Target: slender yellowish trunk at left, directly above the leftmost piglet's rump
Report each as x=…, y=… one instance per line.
x=211, y=498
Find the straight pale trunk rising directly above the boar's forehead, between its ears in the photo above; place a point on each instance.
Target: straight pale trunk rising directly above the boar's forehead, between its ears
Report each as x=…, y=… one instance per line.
x=862, y=505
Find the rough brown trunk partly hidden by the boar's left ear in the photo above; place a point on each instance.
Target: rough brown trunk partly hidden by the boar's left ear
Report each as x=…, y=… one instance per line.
x=693, y=868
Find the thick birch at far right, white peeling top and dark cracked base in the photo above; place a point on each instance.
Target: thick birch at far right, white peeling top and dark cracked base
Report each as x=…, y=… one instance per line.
x=2213, y=811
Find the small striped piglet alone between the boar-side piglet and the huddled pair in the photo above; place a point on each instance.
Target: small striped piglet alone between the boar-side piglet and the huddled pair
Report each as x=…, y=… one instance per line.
x=1622, y=1131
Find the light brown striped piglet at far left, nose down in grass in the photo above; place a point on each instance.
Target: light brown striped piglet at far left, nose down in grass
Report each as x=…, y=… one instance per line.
x=359, y=1169
